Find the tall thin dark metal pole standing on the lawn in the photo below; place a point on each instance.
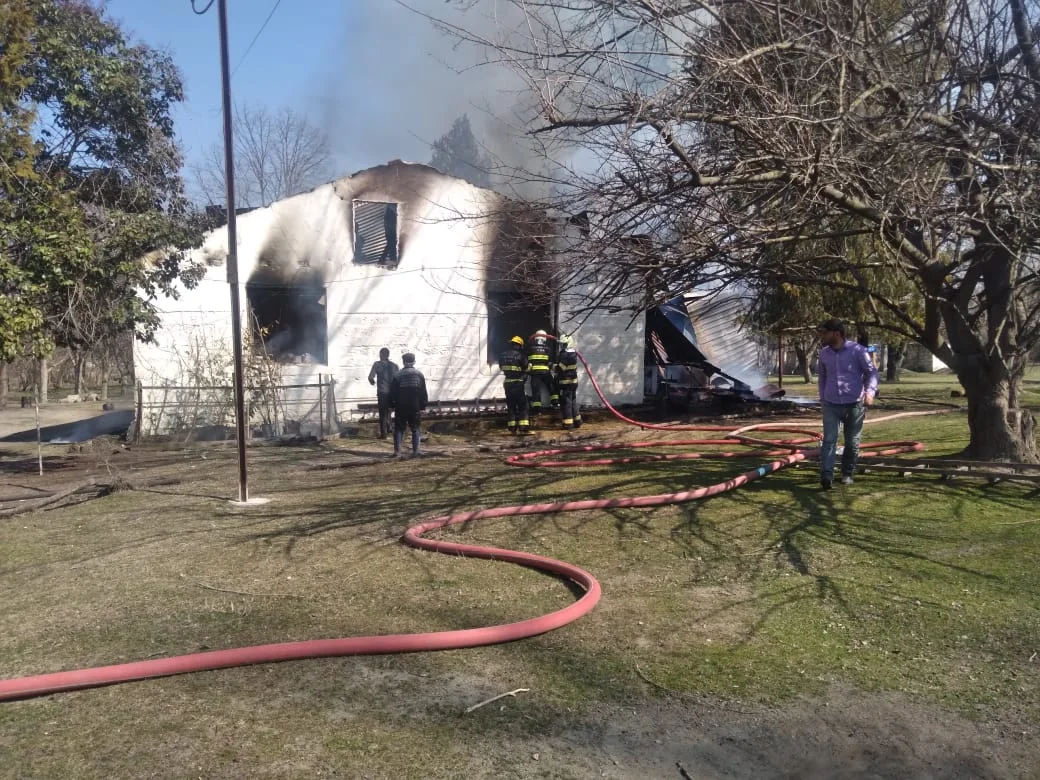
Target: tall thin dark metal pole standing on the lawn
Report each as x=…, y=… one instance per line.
x=237, y=319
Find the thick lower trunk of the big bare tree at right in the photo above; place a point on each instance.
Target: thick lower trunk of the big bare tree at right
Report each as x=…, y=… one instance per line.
x=999, y=429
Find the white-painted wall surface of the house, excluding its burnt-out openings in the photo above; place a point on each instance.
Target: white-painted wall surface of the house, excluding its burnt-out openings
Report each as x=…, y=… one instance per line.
x=433, y=304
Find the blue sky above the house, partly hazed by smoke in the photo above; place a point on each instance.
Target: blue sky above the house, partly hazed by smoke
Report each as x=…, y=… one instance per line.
x=375, y=75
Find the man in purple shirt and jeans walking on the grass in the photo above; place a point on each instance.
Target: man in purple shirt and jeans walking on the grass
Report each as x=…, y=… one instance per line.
x=848, y=385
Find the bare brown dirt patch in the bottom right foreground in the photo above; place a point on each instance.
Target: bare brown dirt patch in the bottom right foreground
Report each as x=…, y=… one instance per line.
x=847, y=735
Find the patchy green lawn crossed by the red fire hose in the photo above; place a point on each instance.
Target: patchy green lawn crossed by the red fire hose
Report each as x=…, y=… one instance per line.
x=923, y=588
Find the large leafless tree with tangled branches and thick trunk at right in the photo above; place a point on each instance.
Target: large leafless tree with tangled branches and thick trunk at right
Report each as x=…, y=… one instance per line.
x=717, y=129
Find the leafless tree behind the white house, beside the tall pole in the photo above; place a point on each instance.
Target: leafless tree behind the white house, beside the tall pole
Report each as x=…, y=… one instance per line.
x=278, y=154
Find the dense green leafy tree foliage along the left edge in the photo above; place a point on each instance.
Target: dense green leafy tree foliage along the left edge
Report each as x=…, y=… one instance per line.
x=93, y=184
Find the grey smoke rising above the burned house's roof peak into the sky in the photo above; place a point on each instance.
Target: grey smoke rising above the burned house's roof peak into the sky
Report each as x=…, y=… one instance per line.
x=399, y=83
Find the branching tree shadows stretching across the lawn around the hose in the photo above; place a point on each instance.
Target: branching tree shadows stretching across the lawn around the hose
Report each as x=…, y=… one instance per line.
x=785, y=517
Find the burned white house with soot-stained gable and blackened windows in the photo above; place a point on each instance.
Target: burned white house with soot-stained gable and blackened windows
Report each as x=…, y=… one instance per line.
x=399, y=256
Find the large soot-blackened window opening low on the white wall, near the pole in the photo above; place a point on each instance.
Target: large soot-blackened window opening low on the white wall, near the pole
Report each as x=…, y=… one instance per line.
x=290, y=320
